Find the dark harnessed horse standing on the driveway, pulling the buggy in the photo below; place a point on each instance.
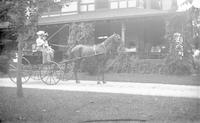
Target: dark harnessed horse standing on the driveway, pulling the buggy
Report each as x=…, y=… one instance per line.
x=100, y=51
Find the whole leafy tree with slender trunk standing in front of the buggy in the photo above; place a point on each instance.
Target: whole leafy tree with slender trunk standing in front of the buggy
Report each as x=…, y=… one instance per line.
x=23, y=16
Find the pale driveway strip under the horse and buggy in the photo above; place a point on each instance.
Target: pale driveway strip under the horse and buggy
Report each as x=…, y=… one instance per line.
x=147, y=89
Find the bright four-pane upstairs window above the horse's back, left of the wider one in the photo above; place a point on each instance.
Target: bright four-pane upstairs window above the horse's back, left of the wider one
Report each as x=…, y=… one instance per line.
x=87, y=5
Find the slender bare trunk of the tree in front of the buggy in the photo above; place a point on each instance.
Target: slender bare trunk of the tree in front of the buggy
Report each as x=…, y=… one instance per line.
x=19, y=68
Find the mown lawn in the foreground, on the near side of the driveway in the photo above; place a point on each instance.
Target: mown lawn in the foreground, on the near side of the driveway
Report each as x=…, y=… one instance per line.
x=44, y=106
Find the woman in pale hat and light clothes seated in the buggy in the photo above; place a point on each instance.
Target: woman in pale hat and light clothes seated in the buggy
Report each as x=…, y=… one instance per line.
x=43, y=46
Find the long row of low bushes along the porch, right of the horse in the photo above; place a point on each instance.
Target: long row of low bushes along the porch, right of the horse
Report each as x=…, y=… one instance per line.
x=131, y=64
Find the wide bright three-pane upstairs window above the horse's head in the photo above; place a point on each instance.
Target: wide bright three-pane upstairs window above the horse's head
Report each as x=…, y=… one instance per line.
x=115, y=4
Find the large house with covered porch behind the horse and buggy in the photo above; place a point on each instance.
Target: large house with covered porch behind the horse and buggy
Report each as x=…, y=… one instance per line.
x=141, y=23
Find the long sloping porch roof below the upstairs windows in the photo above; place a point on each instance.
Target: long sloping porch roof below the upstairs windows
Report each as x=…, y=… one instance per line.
x=60, y=18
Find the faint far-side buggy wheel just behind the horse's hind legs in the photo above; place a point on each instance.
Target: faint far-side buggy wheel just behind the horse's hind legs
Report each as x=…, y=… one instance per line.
x=67, y=69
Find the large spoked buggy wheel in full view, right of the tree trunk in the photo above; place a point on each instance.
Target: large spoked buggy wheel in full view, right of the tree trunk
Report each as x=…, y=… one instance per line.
x=50, y=73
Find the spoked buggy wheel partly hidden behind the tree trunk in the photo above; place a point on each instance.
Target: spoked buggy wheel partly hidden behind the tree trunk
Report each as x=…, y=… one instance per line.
x=26, y=71
